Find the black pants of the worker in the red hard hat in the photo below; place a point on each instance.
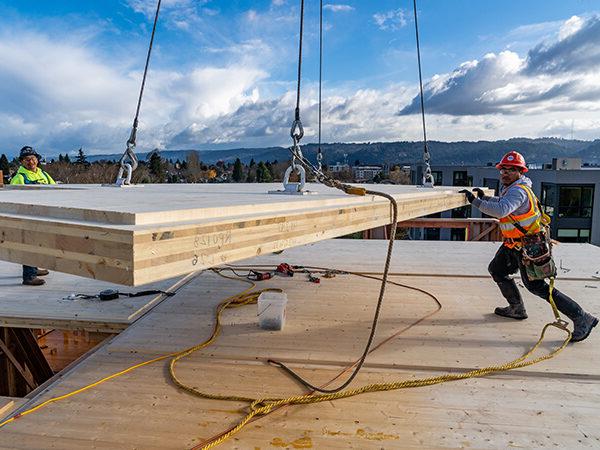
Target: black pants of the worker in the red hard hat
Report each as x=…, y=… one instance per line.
x=507, y=262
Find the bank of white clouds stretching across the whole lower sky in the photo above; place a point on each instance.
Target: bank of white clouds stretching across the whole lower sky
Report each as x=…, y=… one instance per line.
x=82, y=98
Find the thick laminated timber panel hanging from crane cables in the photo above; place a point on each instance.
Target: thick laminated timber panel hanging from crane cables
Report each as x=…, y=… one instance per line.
x=143, y=234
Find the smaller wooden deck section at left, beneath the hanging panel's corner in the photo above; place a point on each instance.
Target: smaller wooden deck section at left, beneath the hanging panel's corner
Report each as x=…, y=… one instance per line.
x=46, y=306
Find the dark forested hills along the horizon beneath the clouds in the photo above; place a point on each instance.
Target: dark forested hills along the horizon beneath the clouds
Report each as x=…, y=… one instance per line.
x=536, y=151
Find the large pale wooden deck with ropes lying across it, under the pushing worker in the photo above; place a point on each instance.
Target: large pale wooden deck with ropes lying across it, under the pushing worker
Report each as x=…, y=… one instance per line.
x=554, y=404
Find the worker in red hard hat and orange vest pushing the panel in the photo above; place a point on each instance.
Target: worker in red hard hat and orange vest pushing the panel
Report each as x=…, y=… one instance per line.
x=524, y=228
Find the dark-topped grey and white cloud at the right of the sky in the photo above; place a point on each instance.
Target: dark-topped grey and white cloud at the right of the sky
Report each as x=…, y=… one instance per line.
x=557, y=75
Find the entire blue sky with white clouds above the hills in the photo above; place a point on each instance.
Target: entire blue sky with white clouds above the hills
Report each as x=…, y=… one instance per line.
x=223, y=72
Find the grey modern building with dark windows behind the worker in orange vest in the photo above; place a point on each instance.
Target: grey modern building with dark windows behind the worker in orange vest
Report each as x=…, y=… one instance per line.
x=568, y=192
